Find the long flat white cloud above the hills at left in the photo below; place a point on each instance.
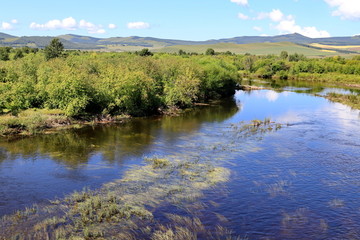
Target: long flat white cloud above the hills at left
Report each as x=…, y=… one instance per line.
x=68, y=24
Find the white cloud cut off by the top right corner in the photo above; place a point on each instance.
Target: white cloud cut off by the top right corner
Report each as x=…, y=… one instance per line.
x=346, y=9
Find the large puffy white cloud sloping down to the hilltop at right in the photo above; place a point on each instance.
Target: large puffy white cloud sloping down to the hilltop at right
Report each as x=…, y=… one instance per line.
x=287, y=24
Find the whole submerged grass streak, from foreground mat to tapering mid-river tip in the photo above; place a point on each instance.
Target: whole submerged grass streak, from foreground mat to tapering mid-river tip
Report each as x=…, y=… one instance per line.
x=157, y=200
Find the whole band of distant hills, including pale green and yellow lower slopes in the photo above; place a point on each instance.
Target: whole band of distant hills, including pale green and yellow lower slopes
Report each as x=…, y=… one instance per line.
x=71, y=41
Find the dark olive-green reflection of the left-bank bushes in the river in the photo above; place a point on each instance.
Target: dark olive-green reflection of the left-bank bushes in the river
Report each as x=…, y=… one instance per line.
x=74, y=147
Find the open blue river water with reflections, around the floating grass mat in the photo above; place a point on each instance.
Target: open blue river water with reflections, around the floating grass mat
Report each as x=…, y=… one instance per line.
x=300, y=182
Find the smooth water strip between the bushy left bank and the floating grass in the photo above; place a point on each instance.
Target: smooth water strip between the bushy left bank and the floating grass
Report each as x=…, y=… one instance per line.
x=42, y=167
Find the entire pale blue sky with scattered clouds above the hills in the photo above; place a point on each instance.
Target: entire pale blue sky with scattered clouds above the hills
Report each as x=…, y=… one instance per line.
x=180, y=19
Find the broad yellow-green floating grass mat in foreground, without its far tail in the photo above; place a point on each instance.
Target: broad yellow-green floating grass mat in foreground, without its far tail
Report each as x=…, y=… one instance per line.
x=124, y=207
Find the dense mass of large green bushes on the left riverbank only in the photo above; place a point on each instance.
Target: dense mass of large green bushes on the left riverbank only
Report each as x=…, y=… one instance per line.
x=113, y=83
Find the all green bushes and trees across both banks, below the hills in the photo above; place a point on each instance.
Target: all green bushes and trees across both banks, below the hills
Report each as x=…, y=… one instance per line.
x=143, y=83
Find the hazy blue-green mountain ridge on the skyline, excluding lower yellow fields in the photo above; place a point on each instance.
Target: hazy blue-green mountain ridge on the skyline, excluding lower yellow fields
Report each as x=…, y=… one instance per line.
x=73, y=41
